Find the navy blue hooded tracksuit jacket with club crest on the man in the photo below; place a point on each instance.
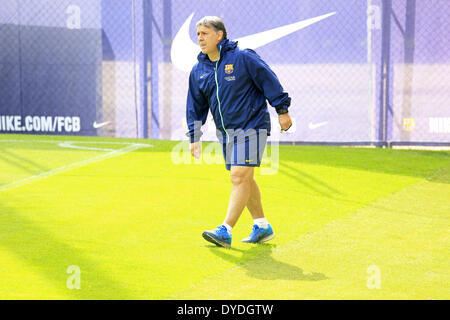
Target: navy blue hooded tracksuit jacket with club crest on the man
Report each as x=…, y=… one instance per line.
x=235, y=88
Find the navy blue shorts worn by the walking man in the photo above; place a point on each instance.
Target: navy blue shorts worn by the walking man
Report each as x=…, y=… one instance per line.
x=245, y=149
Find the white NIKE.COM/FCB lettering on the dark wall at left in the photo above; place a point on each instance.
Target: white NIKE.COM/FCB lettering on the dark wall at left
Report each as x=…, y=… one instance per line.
x=39, y=124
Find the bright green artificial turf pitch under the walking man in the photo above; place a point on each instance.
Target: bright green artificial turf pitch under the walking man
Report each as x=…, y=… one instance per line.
x=131, y=219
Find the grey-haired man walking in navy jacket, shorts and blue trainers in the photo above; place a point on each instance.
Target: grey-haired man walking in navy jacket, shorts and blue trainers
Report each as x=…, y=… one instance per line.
x=234, y=84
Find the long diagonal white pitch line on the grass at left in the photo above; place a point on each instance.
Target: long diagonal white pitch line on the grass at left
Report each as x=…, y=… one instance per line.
x=46, y=174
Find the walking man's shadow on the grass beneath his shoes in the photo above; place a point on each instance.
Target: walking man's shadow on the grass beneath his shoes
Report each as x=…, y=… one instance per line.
x=259, y=263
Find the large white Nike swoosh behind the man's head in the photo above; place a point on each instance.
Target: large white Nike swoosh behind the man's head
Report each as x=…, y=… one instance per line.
x=184, y=51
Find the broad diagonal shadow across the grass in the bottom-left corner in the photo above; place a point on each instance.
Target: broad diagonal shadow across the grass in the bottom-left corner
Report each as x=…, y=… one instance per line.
x=50, y=257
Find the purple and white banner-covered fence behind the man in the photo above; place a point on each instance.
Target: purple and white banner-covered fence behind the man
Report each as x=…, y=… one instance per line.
x=359, y=72
